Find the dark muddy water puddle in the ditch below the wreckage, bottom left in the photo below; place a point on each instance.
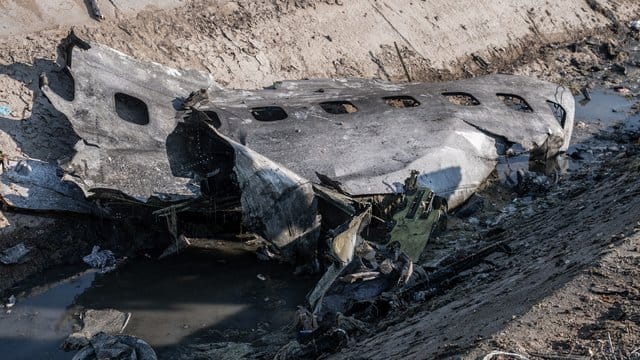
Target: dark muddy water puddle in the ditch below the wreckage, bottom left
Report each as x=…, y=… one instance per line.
x=201, y=292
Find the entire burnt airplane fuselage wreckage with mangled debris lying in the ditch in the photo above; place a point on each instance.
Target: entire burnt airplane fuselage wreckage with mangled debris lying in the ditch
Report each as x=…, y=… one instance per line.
x=308, y=165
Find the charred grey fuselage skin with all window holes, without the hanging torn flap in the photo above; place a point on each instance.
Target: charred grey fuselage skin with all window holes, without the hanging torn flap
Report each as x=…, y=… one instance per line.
x=368, y=148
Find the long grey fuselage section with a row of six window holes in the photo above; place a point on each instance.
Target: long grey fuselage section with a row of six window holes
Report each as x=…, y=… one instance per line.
x=371, y=150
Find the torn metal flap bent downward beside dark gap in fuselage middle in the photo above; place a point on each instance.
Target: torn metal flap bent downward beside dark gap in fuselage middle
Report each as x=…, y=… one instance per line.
x=276, y=203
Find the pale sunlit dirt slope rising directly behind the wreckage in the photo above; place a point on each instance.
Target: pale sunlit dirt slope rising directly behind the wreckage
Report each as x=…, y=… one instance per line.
x=252, y=44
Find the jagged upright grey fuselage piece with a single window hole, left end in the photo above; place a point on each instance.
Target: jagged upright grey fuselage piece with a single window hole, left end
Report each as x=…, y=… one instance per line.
x=124, y=111
